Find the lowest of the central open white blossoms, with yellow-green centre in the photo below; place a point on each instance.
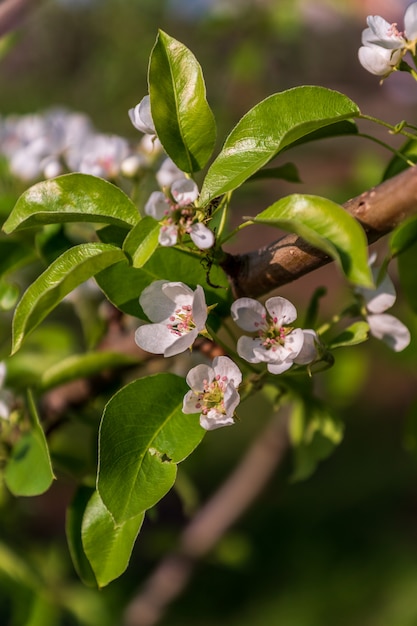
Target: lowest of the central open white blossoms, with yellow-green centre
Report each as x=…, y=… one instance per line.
x=213, y=392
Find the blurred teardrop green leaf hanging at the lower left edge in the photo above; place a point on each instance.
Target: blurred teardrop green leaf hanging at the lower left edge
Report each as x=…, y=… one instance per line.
x=29, y=470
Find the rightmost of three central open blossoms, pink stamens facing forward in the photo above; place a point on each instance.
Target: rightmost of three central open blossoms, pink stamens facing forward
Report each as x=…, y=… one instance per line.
x=276, y=342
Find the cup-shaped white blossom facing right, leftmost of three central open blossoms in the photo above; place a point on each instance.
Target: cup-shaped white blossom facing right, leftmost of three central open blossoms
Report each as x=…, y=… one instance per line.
x=179, y=315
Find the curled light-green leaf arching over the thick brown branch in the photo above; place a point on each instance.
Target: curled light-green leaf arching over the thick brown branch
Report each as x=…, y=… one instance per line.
x=326, y=226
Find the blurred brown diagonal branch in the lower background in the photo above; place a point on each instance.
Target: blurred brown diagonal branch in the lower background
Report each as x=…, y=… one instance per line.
x=211, y=522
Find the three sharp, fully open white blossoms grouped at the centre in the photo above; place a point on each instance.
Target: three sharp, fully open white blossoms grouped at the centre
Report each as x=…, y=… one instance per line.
x=179, y=314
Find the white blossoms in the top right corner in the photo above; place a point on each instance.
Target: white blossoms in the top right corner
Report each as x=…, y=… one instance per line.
x=384, y=46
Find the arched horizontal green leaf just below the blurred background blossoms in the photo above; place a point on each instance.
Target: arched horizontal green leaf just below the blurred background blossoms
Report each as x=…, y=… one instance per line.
x=72, y=198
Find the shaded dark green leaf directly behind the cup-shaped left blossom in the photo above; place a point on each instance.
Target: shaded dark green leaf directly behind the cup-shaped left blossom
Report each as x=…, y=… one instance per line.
x=122, y=284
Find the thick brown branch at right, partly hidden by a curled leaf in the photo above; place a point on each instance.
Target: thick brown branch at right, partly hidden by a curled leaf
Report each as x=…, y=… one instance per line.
x=379, y=210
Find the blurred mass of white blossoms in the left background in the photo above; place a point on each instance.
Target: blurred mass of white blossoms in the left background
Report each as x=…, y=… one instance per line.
x=38, y=146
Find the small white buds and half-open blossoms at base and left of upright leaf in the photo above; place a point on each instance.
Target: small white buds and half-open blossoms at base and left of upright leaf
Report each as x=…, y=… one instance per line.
x=175, y=206
